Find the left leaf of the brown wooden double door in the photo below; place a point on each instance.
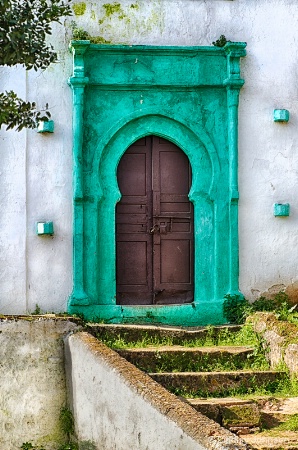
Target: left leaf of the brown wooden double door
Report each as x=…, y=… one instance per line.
x=134, y=242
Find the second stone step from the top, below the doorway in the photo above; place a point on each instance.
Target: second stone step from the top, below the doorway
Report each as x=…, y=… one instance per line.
x=179, y=358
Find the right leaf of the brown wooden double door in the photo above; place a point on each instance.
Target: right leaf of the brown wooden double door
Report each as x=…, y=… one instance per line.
x=173, y=248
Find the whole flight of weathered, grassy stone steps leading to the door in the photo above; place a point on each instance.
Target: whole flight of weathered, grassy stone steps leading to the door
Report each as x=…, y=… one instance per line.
x=214, y=379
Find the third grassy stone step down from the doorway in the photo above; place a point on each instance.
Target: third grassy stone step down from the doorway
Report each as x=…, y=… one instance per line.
x=203, y=384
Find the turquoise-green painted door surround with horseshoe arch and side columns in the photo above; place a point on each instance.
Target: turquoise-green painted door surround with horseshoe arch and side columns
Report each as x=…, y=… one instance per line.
x=188, y=95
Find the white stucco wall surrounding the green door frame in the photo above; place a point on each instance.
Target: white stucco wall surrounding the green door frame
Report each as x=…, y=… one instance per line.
x=36, y=169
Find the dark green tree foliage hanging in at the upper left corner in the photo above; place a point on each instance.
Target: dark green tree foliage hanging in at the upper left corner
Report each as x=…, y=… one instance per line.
x=24, y=26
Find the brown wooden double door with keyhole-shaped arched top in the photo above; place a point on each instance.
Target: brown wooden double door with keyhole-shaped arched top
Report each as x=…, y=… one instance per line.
x=154, y=225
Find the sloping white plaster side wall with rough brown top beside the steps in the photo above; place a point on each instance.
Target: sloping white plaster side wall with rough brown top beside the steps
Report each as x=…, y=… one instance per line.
x=116, y=406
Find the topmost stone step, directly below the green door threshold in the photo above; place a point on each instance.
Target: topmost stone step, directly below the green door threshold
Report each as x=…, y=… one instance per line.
x=134, y=333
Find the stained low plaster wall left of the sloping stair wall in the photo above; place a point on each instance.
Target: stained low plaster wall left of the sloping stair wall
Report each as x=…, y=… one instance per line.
x=32, y=380
